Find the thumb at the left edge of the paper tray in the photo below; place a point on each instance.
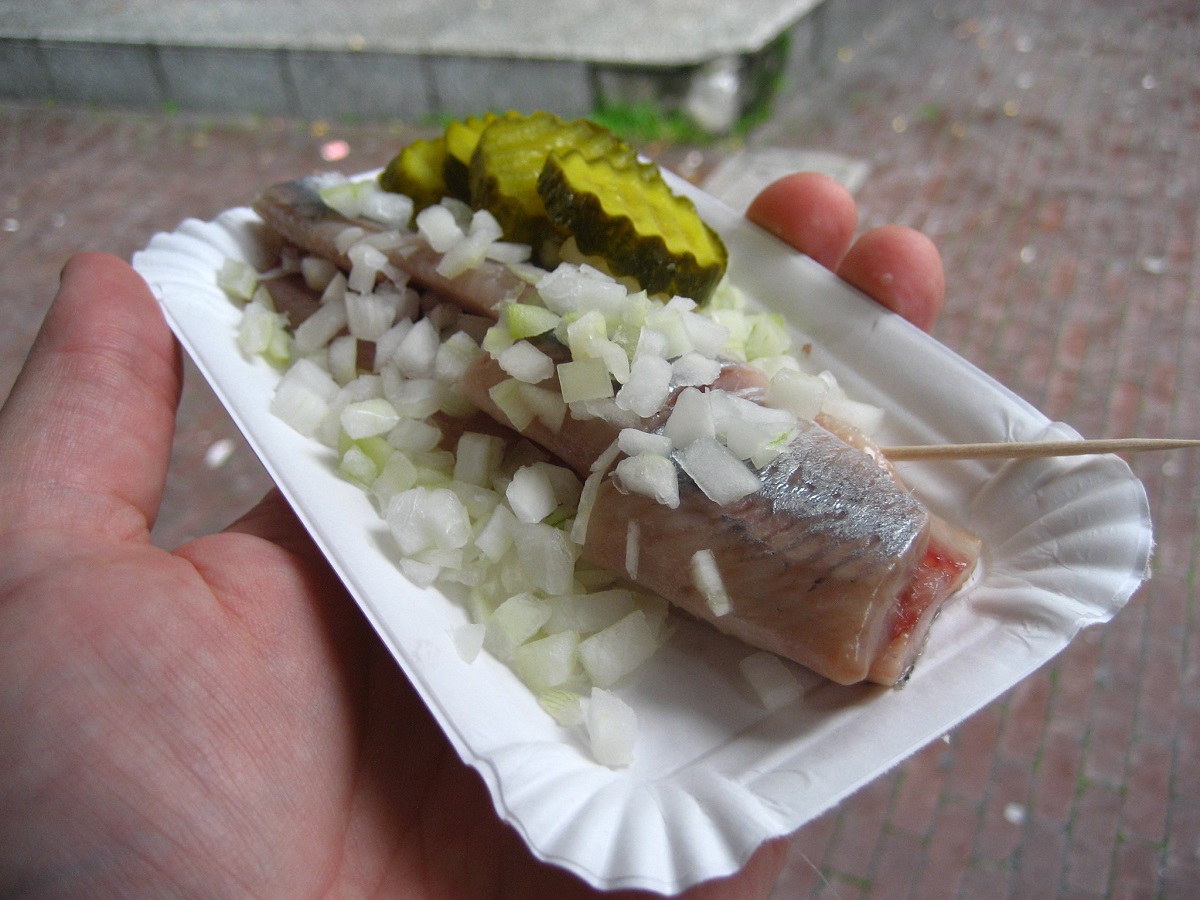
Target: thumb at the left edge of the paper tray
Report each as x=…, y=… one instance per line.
x=86, y=435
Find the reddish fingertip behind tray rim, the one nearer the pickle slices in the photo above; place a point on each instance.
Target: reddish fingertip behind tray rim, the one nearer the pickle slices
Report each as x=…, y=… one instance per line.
x=812, y=213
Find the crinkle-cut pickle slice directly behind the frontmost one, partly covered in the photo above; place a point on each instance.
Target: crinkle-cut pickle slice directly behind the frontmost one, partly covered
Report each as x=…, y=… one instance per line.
x=509, y=158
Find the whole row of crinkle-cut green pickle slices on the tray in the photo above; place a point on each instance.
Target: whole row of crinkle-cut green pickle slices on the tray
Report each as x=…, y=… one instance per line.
x=548, y=181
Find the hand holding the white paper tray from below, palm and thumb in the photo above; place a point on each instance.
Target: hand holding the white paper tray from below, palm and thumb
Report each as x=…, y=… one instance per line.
x=218, y=719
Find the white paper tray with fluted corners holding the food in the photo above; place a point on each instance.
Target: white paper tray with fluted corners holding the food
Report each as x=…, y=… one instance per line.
x=1067, y=542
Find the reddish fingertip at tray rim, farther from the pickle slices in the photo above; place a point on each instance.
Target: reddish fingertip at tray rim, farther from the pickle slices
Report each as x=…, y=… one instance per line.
x=899, y=268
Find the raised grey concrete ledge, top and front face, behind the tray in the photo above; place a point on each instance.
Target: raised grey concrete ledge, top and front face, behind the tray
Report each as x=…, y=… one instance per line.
x=379, y=59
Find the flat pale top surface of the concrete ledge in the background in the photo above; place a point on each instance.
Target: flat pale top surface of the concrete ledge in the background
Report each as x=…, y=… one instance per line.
x=659, y=33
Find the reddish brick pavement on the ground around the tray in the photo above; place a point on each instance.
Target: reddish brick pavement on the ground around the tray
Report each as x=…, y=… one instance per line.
x=1052, y=148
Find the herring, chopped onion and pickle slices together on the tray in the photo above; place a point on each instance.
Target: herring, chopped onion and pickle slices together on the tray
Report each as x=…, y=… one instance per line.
x=567, y=436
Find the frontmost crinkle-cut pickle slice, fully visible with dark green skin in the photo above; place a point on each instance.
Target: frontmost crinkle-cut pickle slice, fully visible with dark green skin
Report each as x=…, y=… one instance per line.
x=628, y=215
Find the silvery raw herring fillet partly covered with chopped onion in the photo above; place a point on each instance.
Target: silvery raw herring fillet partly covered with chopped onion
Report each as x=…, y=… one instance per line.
x=832, y=565
